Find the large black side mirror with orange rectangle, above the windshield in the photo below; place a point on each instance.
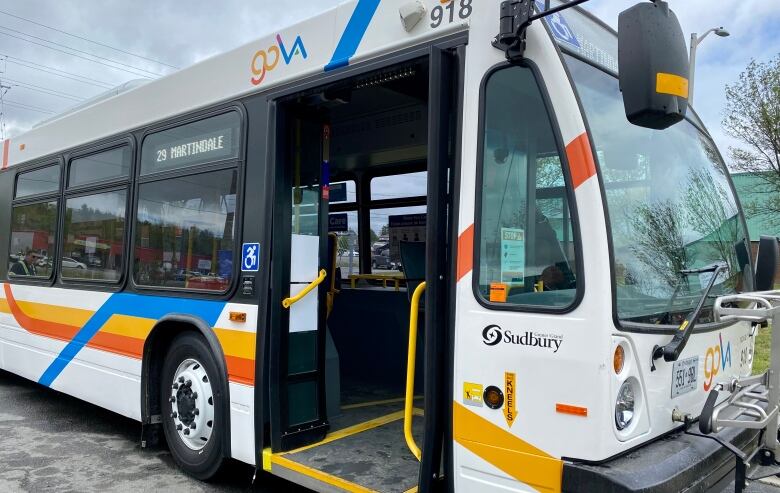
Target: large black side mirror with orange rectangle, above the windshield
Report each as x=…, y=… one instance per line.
x=653, y=65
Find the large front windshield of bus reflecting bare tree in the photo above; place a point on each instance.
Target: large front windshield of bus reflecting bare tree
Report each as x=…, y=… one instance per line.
x=670, y=205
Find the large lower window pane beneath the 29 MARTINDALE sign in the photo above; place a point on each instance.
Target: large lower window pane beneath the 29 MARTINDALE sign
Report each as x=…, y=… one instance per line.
x=185, y=232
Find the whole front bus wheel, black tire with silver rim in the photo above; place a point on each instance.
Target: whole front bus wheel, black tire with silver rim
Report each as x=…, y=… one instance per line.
x=191, y=411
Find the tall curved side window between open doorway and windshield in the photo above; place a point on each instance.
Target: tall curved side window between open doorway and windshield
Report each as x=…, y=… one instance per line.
x=526, y=244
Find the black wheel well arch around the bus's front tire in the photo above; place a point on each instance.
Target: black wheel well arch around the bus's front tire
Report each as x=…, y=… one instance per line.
x=156, y=346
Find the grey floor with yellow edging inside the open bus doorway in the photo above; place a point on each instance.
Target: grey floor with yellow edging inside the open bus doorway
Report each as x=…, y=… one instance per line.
x=366, y=447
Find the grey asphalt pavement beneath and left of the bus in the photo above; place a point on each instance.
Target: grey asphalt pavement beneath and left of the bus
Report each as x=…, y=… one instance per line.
x=53, y=442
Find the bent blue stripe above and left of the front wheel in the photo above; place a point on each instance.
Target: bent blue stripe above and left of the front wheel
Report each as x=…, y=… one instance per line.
x=133, y=305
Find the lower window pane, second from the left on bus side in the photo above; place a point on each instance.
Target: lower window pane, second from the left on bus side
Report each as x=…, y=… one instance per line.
x=93, y=247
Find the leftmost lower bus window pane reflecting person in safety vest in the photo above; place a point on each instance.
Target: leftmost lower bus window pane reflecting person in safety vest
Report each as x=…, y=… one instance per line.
x=33, y=229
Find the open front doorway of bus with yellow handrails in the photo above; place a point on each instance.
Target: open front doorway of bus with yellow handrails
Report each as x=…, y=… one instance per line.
x=361, y=221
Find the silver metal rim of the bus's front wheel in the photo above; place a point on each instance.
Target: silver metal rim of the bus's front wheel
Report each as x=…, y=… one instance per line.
x=192, y=404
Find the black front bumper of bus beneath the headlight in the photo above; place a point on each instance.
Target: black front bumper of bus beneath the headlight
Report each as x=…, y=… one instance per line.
x=675, y=463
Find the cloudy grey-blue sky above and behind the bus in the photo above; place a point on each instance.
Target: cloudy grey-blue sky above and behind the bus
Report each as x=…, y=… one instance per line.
x=97, y=45
